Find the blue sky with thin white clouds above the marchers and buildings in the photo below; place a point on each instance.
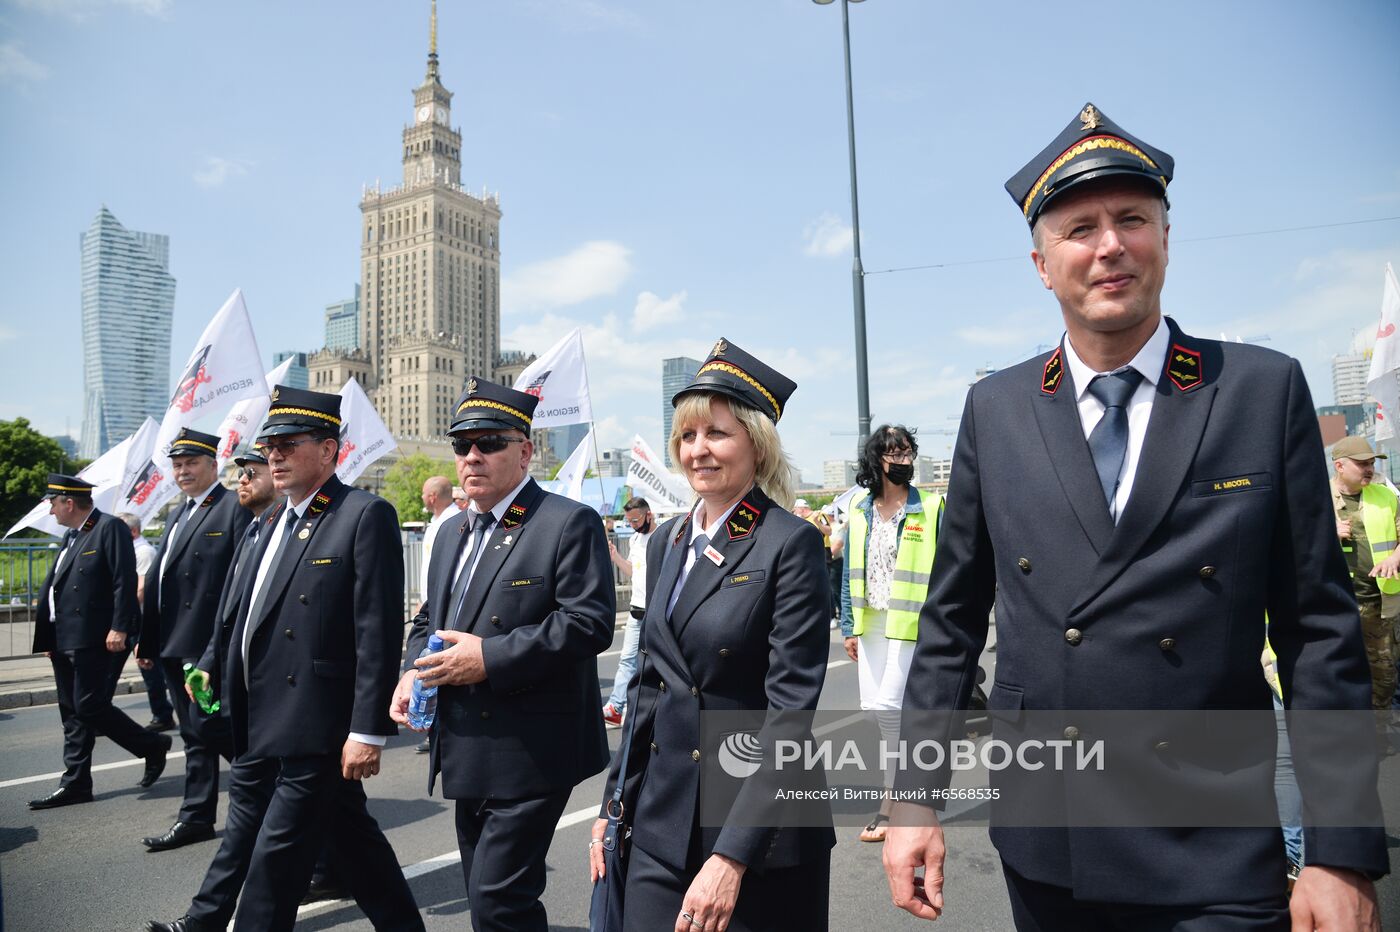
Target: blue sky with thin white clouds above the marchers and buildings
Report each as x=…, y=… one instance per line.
x=674, y=173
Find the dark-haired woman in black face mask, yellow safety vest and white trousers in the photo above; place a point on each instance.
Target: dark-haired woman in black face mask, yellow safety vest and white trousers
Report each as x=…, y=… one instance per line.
x=890, y=556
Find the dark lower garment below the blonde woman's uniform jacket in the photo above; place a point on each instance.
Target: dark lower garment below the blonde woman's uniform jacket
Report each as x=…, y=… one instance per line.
x=769, y=902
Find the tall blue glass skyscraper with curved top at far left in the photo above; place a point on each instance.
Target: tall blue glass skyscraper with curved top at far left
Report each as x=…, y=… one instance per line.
x=128, y=306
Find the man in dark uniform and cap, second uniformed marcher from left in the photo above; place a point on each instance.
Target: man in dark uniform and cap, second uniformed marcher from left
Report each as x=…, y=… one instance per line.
x=178, y=619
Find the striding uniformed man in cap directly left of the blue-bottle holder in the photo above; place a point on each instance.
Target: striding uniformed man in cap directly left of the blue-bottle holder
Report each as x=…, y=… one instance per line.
x=307, y=677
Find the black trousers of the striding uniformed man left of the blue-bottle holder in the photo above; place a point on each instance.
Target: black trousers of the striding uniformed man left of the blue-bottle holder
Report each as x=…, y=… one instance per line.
x=282, y=814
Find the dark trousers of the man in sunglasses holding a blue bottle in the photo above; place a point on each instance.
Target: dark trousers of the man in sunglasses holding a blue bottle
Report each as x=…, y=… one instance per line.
x=503, y=845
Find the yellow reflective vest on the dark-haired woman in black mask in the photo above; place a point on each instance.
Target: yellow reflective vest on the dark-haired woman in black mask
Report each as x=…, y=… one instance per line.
x=913, y=566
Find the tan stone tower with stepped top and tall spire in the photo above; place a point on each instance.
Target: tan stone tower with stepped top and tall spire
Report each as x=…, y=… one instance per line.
x=430, y=257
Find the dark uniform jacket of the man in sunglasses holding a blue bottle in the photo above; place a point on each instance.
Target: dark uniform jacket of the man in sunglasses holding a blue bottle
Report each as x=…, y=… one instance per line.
x=544, y=602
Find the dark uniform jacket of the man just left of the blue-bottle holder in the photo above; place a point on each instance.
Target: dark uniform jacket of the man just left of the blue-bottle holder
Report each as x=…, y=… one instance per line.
x=324, y=656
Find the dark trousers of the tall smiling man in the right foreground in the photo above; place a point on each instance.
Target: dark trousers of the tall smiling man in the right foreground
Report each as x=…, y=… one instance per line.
x=1044, y=908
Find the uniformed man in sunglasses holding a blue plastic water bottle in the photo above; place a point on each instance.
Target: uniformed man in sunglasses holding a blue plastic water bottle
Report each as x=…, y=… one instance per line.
x=521, y=591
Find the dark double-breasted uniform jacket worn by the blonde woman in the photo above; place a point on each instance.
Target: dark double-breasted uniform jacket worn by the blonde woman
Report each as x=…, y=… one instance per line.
x=747, y=635
